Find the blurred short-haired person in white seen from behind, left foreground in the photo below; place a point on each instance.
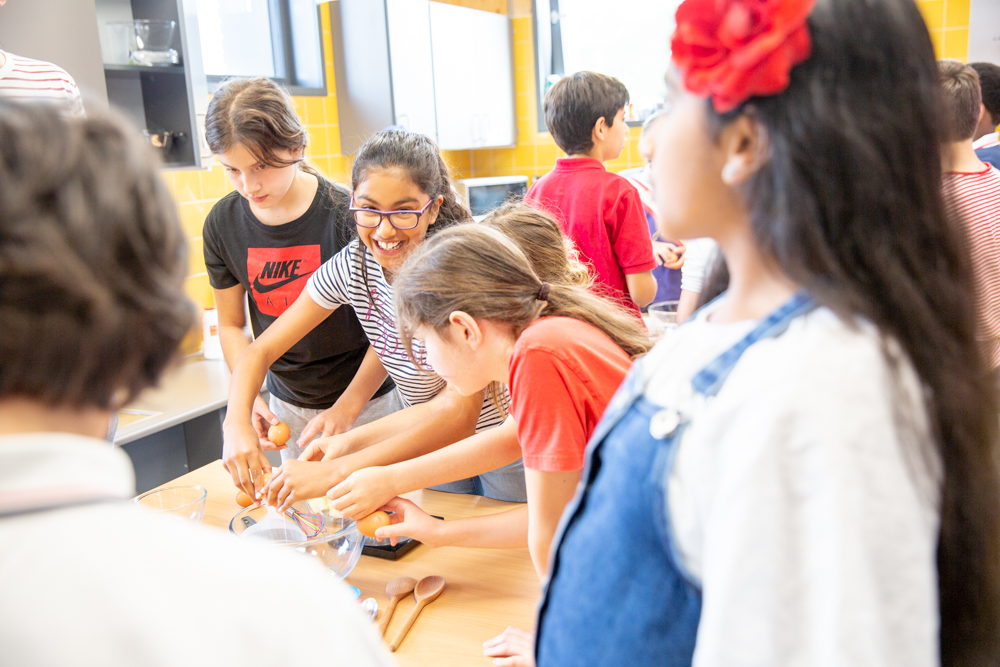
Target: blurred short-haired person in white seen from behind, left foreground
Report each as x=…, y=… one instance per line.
x=92, y=309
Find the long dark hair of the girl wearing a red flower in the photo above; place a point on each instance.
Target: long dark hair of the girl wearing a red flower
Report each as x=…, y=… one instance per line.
x=850, y=206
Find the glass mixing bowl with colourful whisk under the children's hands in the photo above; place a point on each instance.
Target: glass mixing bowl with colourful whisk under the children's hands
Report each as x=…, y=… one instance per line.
x=338, y=545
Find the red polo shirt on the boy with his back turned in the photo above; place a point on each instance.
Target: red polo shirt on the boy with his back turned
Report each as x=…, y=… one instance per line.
x=603, y=215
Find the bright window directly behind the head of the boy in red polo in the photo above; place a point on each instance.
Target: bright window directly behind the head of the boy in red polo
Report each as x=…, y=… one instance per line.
x=629, y=41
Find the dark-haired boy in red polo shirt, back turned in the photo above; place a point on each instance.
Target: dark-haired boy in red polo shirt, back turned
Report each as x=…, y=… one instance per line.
x=600, y=211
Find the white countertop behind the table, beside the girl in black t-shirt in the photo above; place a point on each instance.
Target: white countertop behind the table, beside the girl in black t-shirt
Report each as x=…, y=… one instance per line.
x=194, y=387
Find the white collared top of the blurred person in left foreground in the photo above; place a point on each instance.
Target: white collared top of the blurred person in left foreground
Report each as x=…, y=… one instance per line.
x=110, y=585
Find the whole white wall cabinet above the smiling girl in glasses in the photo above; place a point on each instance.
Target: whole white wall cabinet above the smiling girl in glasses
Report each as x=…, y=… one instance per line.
x=438, y=69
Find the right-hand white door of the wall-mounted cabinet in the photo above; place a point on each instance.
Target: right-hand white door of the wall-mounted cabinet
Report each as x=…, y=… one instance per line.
x=473, y=89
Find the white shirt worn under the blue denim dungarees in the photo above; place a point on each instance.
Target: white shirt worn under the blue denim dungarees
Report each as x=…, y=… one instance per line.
x=804, y=497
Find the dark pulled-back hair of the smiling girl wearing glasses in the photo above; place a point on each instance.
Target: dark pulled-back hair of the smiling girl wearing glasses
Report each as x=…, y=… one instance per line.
x=419, y=158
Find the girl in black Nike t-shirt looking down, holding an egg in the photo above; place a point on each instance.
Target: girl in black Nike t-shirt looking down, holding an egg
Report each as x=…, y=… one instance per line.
x=262, y=242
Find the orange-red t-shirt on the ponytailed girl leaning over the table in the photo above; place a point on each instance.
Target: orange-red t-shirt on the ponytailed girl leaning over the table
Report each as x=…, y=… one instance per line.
x=563, y=373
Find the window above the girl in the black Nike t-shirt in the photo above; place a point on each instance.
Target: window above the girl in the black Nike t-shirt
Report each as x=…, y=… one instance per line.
x=279, y=39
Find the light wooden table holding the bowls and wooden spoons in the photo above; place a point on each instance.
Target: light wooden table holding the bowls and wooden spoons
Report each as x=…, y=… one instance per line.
x=487, y=589
